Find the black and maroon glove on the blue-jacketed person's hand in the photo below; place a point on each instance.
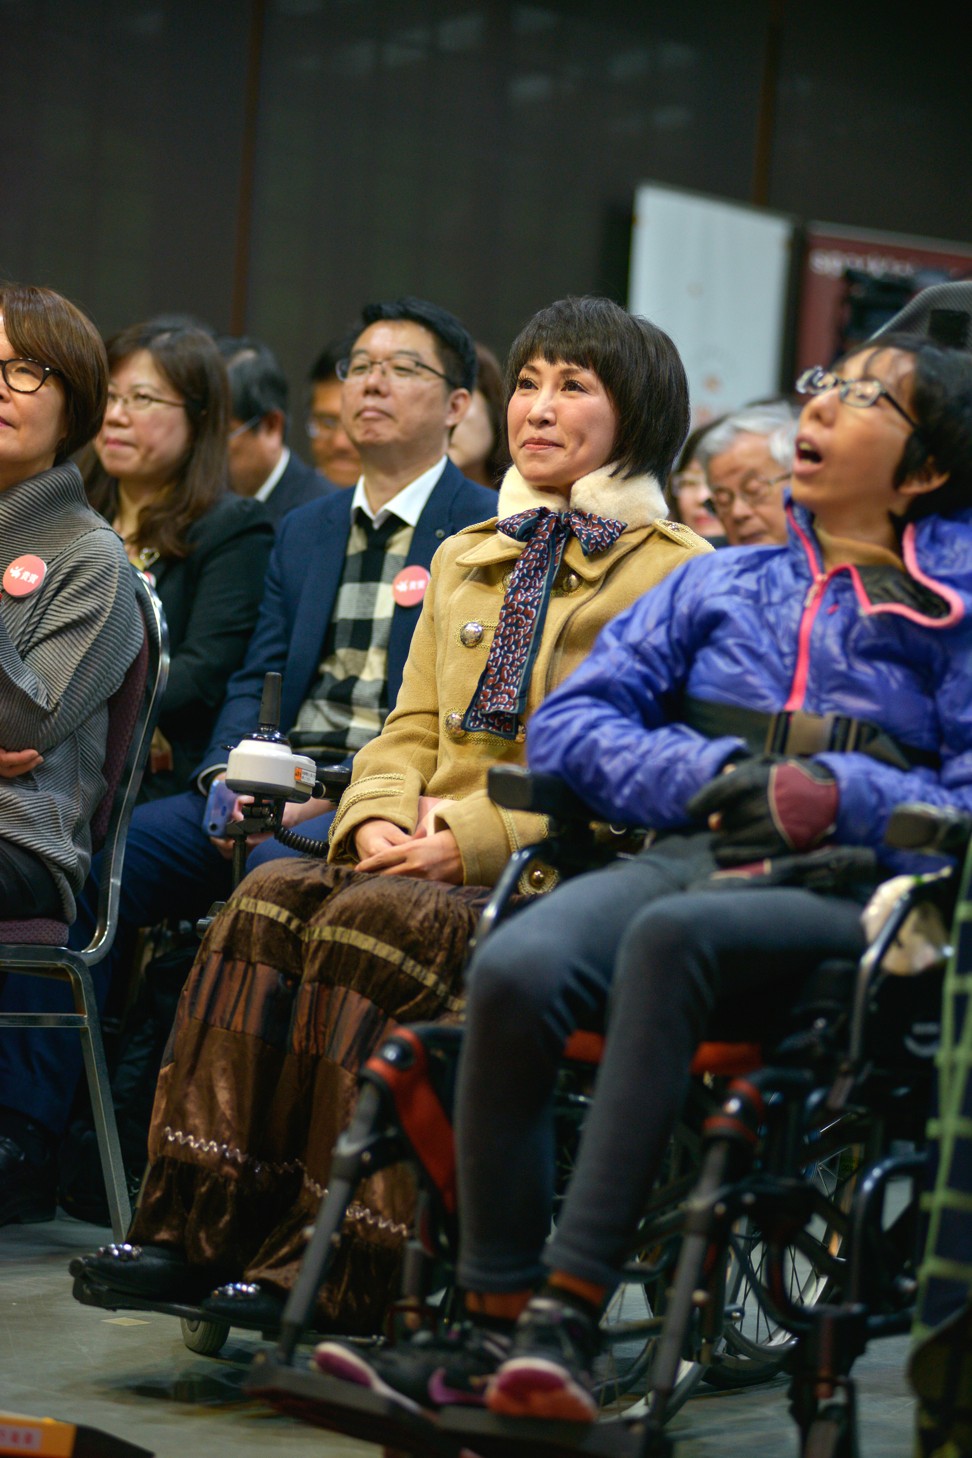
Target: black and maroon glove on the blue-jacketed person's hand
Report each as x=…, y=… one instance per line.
x=769, y=808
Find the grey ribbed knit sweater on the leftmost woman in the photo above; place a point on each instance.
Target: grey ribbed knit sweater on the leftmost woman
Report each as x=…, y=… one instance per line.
x=63, y=654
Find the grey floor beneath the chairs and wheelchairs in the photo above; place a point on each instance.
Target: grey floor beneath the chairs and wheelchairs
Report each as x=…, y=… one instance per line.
x=135, y=1379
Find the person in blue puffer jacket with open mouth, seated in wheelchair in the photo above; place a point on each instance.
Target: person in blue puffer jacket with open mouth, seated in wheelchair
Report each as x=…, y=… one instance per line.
x=846, y=652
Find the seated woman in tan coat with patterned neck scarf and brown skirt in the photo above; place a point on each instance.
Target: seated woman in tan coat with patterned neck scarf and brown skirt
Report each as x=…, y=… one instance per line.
x=310, y=966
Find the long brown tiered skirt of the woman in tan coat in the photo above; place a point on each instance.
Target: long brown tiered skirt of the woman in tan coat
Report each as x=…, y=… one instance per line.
x=298, y=981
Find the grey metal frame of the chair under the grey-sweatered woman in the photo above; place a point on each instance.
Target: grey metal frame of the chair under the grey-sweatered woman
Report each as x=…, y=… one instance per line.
x=74, y=967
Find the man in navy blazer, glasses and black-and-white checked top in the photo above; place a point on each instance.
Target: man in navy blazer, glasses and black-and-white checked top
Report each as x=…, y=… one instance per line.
x=409, y=383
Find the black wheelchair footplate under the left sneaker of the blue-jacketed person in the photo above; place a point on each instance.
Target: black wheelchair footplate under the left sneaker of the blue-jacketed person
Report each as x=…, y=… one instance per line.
x=348, y=1409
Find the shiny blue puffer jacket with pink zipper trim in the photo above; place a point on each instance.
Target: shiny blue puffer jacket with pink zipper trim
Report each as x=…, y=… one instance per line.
x=770, y=629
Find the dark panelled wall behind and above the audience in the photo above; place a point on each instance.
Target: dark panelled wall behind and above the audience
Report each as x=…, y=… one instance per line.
x=273, y=164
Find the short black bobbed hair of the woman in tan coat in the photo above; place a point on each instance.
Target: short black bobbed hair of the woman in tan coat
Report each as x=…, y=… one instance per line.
x=635, y=361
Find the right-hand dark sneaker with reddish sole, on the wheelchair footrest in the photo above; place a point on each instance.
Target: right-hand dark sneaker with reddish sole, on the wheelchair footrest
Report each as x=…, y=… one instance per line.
x=549, y=1371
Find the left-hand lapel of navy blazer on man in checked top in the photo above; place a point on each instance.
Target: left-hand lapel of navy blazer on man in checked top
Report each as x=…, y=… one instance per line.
x=317, y=561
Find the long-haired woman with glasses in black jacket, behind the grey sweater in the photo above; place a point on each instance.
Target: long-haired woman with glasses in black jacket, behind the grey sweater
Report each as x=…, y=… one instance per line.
x=161, y=479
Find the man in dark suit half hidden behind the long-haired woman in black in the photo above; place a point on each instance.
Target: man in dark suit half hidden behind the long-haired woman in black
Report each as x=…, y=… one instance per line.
x=260, y=461
